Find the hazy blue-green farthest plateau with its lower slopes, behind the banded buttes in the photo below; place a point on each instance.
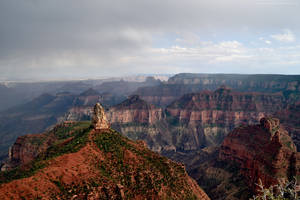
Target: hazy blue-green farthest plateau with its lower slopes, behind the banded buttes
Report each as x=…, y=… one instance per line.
x=181, y=84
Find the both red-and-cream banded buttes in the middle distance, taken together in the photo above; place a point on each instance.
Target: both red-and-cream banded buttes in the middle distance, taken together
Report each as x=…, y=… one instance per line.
x=195, y=121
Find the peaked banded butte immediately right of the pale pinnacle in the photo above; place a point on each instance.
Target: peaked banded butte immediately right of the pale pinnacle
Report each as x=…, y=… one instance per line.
x=139, y=120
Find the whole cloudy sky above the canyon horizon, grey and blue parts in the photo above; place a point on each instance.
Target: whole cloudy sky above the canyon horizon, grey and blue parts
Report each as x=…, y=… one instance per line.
x=70, y=39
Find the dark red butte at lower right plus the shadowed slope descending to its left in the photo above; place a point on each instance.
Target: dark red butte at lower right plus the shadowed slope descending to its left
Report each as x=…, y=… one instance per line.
x=250, y=152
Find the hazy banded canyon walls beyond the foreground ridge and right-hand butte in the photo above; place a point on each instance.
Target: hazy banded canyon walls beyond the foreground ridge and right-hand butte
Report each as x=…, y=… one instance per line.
x=186, y=113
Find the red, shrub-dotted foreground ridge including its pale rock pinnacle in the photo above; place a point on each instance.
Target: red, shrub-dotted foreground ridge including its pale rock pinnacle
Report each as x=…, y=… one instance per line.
x=79, y=160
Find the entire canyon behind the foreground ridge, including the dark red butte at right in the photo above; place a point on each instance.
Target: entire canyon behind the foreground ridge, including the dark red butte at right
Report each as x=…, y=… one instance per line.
x=227, y=137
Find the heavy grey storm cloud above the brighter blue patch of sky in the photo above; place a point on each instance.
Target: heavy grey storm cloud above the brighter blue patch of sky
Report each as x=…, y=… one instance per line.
x=55, y=36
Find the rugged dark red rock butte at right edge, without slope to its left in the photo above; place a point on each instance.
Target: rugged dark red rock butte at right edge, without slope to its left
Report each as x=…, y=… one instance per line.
x=264, y=151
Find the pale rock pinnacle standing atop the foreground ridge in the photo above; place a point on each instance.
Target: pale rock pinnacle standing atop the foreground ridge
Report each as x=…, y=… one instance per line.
x=99, y=120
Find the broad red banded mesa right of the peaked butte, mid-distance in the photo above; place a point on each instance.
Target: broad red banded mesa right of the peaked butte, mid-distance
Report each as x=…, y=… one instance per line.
x=211, y=115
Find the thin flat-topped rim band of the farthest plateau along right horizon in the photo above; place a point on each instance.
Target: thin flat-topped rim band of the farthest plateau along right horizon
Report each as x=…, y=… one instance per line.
x=257, y=82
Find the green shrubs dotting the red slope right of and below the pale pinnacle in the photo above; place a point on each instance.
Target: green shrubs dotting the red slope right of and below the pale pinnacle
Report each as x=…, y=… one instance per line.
x=137, y=178
